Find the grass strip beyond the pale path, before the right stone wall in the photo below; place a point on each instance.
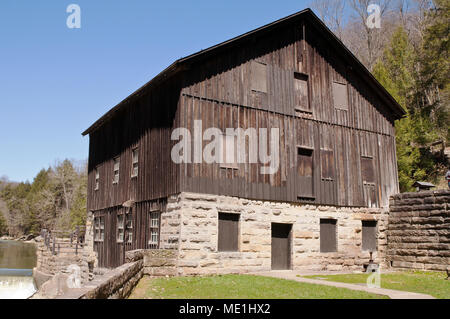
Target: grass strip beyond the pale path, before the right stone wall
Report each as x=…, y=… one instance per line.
x=430, y=283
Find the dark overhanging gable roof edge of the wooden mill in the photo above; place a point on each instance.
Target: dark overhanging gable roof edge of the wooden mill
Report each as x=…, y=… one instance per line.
x=180, y=64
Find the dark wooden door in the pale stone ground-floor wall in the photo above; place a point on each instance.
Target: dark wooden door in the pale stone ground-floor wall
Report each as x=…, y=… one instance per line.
x=281, y=246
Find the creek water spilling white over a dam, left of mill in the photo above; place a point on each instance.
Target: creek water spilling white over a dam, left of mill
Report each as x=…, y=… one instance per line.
x=17, y=260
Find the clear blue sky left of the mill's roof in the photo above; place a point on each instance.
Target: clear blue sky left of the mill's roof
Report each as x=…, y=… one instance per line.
x=56, y=81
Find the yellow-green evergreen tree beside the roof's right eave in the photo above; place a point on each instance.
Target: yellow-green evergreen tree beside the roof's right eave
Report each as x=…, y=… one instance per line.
x=396, y=72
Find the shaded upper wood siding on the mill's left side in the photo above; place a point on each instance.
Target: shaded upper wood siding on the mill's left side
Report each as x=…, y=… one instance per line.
x=146, y=124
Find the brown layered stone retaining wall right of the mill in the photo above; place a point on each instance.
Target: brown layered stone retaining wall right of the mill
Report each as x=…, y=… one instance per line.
x=419, y=230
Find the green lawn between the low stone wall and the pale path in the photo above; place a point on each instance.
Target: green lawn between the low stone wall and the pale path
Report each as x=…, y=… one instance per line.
x=239, y=287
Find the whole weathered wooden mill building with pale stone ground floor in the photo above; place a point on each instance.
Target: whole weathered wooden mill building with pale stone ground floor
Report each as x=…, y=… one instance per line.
x=323, y=208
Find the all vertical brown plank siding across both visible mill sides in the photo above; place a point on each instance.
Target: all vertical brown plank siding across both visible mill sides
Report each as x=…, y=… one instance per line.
x=219, y=89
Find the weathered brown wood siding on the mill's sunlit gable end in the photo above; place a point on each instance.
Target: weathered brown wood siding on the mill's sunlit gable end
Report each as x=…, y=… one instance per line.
x=219, y=91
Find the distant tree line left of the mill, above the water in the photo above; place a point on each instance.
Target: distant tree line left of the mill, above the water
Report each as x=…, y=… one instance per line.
x=56, y=199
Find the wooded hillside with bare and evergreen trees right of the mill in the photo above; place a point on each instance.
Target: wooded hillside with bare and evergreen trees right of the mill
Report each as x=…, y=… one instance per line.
x=409, y=56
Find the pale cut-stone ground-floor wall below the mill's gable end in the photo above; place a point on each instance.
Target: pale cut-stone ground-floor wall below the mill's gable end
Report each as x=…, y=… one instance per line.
x=198, y=235
